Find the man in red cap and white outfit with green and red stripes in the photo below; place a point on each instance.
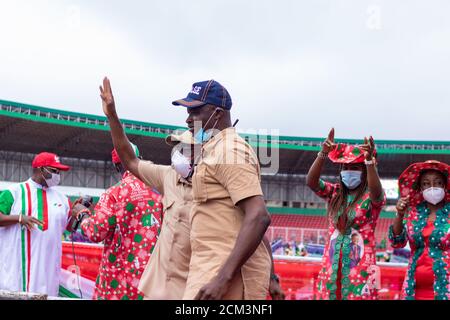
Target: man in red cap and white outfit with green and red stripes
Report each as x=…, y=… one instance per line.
x=33, y=217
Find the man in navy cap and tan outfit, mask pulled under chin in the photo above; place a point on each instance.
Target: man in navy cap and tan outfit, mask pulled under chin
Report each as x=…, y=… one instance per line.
x=229, y=217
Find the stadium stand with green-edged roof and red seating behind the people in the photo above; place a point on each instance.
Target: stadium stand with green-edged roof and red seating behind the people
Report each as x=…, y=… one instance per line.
x=84, y=142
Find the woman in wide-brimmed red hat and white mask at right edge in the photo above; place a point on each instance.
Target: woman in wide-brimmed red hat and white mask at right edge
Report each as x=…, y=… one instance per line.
x=423, y=220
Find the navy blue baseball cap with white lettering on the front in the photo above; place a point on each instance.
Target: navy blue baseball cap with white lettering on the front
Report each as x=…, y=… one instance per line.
x=206, y=92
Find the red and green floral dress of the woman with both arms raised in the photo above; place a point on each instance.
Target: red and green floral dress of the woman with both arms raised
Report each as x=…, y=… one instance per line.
x=349, y=270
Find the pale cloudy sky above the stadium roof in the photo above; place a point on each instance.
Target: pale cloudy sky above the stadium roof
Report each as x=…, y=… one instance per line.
x=365, y=67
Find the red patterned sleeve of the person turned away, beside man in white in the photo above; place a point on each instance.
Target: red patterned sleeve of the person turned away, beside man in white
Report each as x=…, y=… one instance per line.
x=101, y=224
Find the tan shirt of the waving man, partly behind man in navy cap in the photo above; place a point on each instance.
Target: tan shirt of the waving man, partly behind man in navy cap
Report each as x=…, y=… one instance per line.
x=167, y=270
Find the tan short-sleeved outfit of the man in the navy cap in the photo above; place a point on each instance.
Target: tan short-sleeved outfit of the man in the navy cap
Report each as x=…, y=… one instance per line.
x=227, y=173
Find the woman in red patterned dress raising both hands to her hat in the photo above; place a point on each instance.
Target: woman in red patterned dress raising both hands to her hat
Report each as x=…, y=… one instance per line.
x=354, y=205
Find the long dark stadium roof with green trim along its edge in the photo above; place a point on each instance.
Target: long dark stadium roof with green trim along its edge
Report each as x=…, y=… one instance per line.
x=32, y=129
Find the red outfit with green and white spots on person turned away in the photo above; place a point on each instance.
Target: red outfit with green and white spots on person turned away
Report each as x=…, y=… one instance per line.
x=128, y=218
